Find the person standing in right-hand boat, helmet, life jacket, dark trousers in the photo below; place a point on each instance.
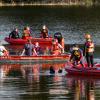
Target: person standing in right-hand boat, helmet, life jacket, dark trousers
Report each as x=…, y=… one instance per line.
x=89, y=51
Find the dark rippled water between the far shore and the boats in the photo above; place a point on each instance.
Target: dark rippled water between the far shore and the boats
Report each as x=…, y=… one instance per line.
x=72, y=22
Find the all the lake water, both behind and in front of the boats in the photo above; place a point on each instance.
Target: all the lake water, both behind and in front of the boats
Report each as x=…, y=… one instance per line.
x=34, y=81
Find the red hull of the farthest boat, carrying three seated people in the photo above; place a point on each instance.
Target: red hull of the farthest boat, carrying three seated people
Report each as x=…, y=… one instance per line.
x=41, y=41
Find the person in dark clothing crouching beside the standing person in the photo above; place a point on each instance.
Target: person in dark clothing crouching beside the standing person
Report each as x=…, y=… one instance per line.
x=76, y=55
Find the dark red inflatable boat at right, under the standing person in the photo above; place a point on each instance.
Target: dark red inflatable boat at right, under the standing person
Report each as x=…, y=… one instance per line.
x=84, y=71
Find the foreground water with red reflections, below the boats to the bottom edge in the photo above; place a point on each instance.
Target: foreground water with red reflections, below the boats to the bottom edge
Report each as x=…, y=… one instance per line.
x=34, y=82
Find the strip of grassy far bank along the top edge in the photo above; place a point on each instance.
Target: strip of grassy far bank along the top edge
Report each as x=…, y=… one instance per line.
x=69, y=2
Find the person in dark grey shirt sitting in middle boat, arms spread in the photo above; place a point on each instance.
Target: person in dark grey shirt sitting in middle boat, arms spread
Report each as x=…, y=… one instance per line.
x=29, y=49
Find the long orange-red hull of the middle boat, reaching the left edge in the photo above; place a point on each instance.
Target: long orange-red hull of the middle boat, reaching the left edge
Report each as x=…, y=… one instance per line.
x=42, y=58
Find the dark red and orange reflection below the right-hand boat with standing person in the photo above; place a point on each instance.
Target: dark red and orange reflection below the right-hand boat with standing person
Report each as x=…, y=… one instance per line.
x=83, y=89
